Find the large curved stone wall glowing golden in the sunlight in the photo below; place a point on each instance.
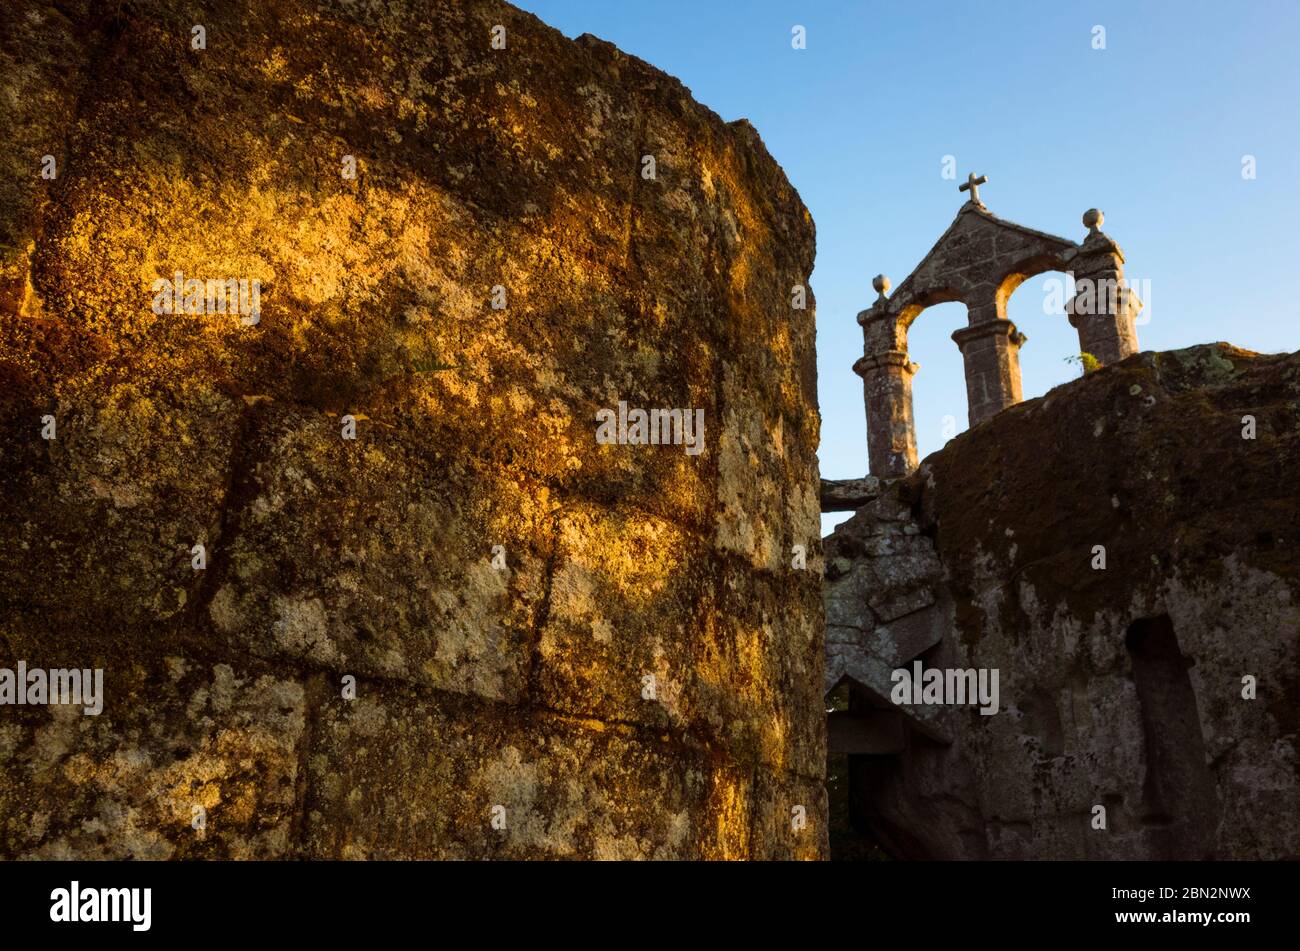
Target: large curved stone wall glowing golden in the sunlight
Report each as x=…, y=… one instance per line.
x=557, y=648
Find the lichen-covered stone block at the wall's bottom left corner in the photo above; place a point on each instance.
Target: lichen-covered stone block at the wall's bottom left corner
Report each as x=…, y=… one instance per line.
x=185, y=762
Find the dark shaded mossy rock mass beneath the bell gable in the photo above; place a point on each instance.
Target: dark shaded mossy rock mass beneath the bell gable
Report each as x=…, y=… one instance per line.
x=1126, y=554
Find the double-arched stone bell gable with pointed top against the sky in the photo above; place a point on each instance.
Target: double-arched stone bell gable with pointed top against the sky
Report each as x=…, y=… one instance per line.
x=980, y=262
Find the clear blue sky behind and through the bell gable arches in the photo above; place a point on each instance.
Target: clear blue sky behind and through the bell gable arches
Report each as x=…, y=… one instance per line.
x=1154, y=131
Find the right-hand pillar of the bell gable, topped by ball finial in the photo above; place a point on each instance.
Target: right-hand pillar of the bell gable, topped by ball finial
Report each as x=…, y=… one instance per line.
x=1103, y=310
